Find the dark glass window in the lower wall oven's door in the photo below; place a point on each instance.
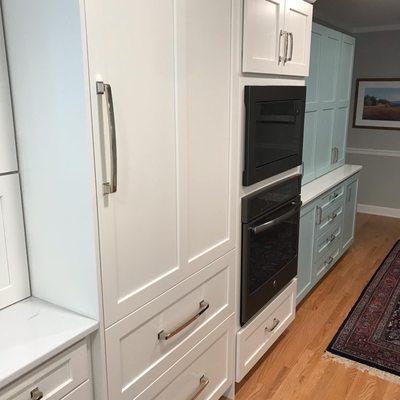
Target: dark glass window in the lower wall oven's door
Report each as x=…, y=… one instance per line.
x=270, y=251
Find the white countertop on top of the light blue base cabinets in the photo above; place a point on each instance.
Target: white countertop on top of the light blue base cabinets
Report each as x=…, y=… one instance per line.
x=314, y=189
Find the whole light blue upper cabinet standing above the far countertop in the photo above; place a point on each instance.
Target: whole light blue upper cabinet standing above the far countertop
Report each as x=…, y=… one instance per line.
x=328, y=99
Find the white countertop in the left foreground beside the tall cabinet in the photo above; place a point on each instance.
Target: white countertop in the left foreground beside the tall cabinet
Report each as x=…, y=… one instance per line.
x=32, y=331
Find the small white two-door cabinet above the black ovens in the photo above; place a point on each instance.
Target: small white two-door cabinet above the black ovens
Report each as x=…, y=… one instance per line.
x=277, y=37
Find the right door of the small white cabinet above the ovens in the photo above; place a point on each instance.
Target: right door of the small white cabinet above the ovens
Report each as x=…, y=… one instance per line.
x=298, y=25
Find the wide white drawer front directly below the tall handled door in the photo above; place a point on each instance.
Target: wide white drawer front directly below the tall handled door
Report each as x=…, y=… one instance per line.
x=137, y=353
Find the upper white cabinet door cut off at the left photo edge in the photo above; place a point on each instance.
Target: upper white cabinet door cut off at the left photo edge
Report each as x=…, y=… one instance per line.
x=8, y=155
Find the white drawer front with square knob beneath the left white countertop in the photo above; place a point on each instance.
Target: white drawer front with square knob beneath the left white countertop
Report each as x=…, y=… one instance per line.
x=54, y=379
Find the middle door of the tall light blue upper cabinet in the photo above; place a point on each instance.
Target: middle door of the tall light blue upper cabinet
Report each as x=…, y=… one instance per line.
x=327, y=91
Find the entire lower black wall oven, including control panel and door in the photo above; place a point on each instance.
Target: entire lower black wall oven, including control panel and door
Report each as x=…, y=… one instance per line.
x=270, y=236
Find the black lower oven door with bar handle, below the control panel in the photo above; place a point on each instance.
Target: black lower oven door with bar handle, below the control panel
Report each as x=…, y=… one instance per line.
x=269, y=257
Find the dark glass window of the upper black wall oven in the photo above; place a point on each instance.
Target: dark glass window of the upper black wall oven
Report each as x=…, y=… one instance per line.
x=276, y=137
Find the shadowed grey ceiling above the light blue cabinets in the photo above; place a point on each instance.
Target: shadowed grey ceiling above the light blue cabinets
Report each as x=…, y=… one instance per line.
x=359, y=15
